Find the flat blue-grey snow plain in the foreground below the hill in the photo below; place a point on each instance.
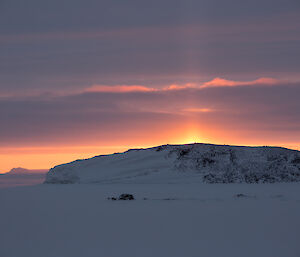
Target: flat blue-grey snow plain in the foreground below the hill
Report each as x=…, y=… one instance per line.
x=189, y=220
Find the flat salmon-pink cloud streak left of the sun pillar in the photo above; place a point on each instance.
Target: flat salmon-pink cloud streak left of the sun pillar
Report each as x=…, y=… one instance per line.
x=119, y=88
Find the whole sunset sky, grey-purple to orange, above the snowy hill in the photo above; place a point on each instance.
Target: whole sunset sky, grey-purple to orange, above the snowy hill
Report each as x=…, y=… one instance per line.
x=83, y=78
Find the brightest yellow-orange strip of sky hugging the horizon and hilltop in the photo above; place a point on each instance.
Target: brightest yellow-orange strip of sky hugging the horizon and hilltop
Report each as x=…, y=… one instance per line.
x=48, y=157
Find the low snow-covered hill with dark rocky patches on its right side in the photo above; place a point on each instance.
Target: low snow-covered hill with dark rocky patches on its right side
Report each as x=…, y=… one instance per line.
x=184, y=163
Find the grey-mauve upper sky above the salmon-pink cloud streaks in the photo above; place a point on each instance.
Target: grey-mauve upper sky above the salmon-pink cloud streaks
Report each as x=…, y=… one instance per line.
x=72, y=43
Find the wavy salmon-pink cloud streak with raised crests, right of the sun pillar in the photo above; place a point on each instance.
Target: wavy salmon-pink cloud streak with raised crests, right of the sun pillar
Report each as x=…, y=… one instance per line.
x=219, y=82
